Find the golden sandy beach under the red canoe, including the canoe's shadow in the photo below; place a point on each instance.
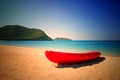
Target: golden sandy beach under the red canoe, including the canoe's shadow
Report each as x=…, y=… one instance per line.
x=21, y=63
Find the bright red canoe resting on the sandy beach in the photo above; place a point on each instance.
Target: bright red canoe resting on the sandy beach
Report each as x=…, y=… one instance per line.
x=67, y=58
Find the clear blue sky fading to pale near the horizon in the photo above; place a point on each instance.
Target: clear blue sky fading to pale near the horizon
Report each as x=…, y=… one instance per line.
x=75, y=19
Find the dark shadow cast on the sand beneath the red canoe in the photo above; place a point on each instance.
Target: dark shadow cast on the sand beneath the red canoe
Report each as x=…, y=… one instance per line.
x=81, y=64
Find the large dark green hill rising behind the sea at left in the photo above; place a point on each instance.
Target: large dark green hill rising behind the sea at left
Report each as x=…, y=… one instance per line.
x=17, y=32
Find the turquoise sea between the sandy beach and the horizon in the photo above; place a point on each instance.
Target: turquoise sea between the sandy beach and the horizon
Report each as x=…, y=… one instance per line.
x=106, y=47
